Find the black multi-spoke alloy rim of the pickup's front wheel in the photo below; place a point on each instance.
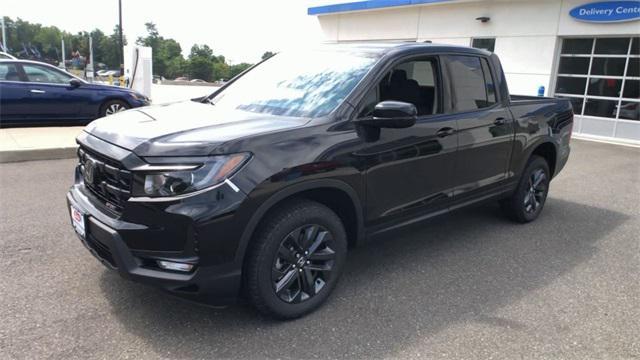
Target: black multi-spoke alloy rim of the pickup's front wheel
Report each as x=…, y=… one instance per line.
x=303, y=264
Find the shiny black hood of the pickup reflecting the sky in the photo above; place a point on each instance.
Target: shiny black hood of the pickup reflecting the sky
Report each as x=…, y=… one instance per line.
x=184, y=128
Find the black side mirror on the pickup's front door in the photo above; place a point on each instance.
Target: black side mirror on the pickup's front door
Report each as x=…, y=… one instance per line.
x=391, y=114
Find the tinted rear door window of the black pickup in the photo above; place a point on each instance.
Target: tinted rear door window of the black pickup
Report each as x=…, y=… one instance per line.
x=472, y=84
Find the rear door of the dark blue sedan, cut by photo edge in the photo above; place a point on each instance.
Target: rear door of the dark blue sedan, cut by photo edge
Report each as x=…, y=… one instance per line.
x=14, y=93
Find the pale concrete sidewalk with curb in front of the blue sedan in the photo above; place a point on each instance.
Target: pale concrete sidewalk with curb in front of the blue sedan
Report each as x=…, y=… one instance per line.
x=38, y=143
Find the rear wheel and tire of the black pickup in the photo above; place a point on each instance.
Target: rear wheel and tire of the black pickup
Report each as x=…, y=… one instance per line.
x=527, y=201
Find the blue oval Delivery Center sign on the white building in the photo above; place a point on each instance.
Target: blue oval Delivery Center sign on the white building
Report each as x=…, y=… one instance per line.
x=607, y=11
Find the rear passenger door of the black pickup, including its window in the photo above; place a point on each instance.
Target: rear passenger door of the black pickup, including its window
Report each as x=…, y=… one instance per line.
x=485, y=127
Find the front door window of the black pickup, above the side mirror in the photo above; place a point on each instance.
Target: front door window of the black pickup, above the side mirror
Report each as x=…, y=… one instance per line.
x=414, y=82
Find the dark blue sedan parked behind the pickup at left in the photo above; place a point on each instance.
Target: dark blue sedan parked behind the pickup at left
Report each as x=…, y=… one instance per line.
x=32, y=92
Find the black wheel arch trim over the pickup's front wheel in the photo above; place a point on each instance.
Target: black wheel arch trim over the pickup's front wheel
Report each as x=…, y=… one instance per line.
x=335, y=194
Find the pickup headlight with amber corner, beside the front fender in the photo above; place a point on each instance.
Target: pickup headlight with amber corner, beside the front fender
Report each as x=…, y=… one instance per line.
x=176, y=182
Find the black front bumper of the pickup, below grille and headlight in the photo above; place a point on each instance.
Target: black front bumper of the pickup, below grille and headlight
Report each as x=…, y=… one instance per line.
x=213, y=280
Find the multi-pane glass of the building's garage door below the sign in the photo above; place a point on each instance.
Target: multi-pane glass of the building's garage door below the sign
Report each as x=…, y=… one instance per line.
x=601, y=76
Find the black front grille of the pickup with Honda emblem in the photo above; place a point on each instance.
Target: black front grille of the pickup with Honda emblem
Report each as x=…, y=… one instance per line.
x=105, y=178
